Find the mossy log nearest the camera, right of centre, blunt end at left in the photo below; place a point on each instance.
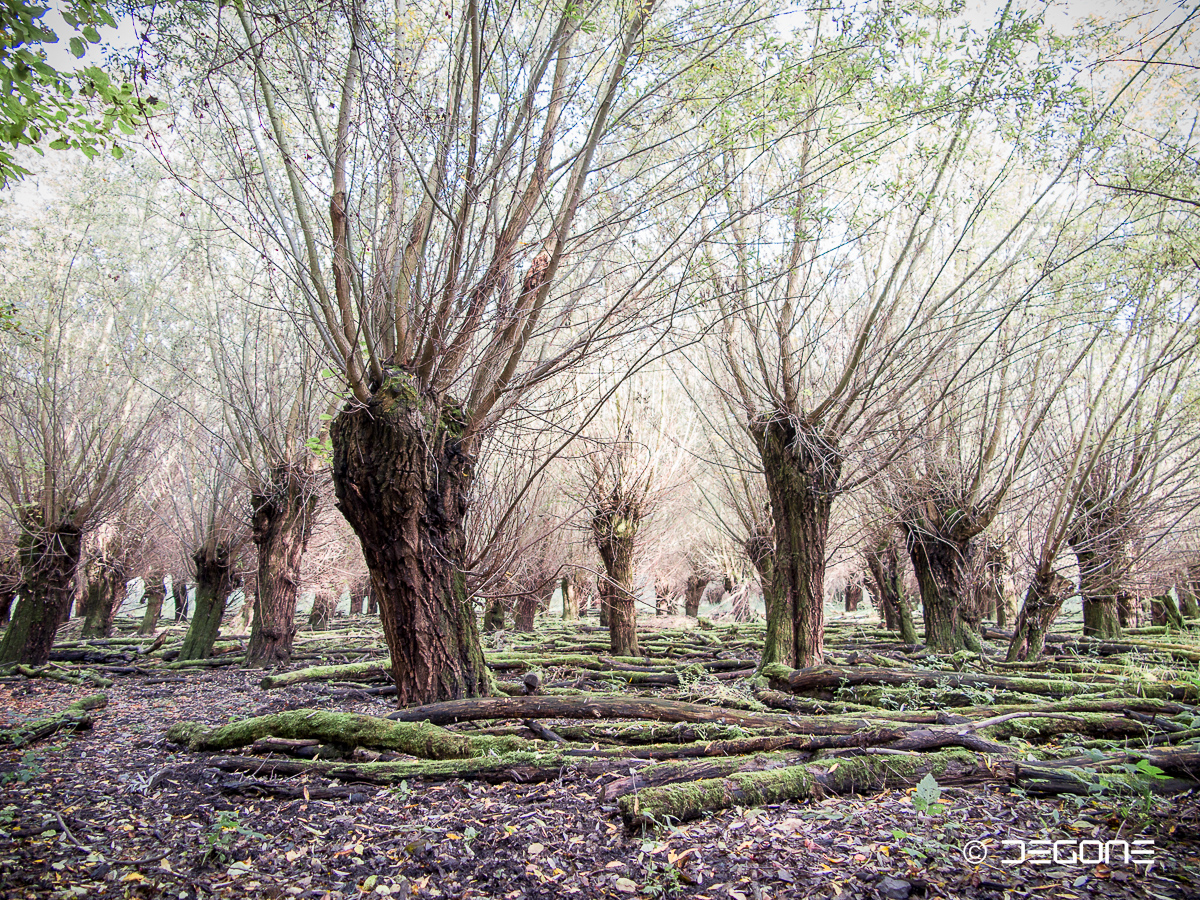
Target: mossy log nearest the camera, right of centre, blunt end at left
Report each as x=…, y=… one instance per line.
x=811, y=781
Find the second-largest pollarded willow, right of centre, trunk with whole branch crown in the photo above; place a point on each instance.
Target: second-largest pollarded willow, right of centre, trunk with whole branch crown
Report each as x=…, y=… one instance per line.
x=856, y=249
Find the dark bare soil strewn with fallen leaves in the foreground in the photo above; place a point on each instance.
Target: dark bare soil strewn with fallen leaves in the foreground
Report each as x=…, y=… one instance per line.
x=118, y=812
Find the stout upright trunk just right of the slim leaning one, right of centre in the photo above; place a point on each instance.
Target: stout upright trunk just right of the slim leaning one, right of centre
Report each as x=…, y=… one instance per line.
x=944, y=575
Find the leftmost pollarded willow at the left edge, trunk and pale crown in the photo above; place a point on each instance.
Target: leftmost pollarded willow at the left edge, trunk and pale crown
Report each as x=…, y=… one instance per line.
x=76, y=413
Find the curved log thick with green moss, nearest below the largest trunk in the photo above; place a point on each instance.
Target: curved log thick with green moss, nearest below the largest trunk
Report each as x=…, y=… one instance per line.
x=346, y=731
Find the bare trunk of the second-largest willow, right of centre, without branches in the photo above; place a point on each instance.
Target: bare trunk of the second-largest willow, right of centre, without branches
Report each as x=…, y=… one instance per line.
x=802, y=470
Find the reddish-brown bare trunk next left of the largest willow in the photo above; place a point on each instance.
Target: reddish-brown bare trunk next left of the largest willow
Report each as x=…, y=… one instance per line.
x=281, y=520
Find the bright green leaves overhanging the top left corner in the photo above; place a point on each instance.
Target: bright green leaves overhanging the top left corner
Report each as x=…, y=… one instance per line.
x=85, y=111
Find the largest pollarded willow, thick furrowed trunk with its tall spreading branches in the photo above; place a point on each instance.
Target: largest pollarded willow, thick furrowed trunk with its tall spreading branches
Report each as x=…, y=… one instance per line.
x=447, y=189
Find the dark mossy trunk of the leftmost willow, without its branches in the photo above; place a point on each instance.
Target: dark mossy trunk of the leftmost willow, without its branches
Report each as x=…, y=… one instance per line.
x=49, y=559
